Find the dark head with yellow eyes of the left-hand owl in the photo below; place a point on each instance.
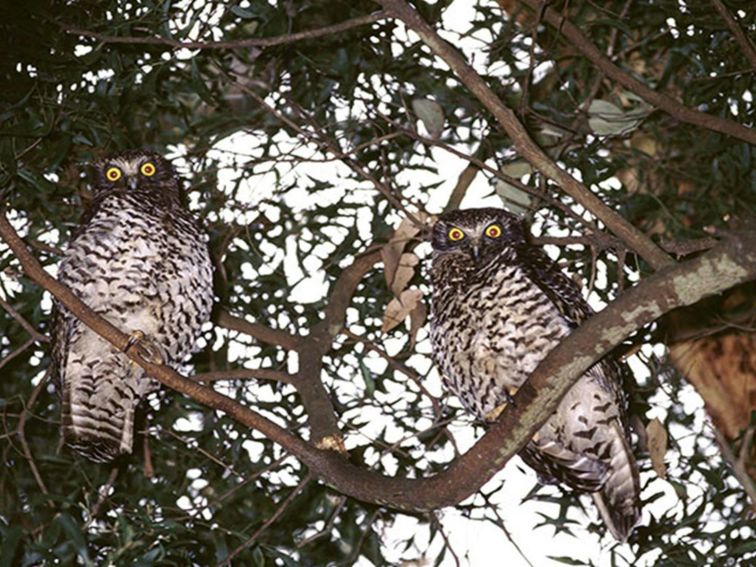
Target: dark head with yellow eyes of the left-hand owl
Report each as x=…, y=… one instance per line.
x=139, y=171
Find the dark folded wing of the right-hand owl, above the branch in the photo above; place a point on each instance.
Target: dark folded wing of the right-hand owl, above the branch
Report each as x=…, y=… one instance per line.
x=560, y=289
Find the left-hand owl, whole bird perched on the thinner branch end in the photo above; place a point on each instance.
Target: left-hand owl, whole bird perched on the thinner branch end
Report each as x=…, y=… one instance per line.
x=140, y=260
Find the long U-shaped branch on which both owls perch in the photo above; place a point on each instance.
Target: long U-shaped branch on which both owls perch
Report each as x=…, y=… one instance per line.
x=725, y=266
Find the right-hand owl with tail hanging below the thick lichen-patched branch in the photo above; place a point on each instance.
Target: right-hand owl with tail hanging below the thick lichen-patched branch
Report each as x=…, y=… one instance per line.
x=499, y=305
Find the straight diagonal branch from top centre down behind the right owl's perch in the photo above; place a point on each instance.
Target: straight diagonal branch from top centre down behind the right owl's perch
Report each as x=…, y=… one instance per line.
x=522, y=141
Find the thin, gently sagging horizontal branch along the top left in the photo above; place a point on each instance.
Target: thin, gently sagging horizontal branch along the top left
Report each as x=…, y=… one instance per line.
x=234, y=44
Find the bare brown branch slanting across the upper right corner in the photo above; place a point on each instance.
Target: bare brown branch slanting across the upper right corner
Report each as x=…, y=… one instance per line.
x=654, y=98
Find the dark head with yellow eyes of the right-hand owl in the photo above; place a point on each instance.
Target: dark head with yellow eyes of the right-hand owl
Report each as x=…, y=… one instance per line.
x=478, y=234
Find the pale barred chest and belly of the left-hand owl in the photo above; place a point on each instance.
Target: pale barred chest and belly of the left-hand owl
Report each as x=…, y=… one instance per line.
x=144, y=268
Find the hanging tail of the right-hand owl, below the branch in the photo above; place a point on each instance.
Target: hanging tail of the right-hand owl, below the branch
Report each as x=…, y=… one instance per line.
x=618, y=501
